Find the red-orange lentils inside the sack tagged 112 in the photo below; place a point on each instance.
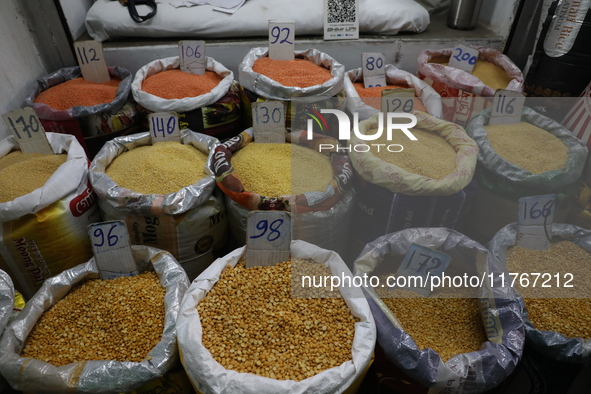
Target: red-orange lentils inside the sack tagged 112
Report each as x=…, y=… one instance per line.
x=77, y=92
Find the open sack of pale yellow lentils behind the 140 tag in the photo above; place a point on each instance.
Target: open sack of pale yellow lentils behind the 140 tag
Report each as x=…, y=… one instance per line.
x=188, y=221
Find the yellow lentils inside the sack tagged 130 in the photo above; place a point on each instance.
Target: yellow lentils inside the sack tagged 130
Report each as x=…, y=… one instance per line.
x=274, y=170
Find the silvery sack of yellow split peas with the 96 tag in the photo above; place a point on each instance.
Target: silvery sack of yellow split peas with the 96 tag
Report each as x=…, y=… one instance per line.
x=36, y=357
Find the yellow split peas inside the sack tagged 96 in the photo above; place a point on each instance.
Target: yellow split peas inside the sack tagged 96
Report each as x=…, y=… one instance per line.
x=120, y=319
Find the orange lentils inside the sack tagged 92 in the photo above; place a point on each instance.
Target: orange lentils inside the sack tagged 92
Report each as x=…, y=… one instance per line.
x=299, y=73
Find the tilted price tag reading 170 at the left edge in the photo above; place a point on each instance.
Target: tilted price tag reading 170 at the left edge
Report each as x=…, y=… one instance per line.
x=28, y=131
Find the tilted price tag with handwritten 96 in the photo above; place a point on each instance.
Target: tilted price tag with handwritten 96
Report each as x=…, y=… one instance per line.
x=112, y=250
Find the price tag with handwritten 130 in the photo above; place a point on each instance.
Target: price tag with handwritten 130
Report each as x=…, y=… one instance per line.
x=268, y=121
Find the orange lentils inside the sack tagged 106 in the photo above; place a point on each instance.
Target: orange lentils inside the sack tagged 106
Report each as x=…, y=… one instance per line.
x=177, y=84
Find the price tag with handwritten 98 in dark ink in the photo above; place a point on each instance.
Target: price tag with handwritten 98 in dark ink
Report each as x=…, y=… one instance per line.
x=268, y=238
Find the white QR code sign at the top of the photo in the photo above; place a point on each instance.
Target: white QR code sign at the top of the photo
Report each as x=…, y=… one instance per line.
x=341, y=19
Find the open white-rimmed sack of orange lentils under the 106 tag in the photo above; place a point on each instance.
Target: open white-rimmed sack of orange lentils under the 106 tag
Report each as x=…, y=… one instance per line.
x=208, y=104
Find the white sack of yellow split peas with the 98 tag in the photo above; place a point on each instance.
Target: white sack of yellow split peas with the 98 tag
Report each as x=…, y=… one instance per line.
x=339, y=345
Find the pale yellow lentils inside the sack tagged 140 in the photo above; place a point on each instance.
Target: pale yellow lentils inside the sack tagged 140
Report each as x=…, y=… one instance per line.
x=162, y=168
